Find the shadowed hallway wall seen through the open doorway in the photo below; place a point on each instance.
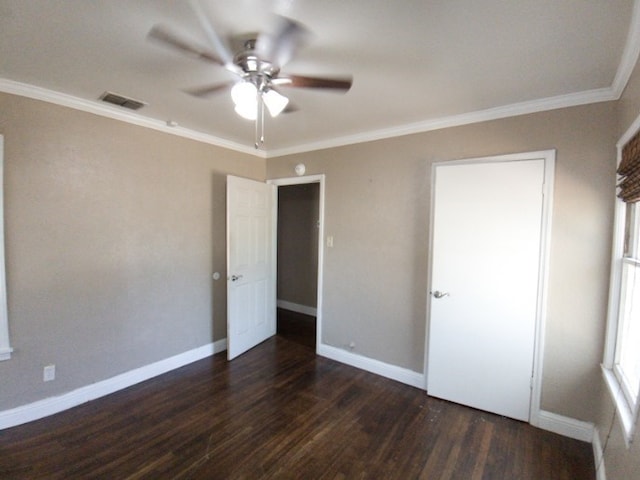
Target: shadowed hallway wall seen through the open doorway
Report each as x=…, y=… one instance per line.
x=298, y=209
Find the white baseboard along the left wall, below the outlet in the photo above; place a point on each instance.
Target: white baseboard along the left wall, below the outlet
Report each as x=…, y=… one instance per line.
x=49, y=406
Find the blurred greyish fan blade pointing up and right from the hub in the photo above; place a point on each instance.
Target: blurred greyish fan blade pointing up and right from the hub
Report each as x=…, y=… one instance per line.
x=280, y=45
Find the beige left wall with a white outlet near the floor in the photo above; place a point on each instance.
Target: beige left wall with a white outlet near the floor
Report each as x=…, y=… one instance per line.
x=112, y=234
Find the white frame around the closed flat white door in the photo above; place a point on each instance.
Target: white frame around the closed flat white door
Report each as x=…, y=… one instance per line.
x=549, y=157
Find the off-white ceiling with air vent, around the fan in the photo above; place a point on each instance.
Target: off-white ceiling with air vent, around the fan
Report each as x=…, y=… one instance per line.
x=416, y=64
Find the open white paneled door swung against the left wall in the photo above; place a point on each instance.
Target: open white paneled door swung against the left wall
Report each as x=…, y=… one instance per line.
x=251, y=306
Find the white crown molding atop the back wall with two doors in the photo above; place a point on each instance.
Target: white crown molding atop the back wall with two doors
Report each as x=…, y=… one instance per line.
x=513, y=110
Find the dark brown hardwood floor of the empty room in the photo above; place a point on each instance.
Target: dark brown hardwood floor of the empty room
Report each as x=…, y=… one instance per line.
x=281, y=412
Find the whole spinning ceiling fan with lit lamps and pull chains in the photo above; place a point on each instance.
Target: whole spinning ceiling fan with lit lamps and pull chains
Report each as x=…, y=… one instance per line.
x=256, y=63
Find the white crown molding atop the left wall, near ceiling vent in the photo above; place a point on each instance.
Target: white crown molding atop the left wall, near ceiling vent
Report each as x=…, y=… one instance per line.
x=104, y=110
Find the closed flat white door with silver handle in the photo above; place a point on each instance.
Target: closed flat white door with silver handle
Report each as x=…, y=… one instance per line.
x=485, y=276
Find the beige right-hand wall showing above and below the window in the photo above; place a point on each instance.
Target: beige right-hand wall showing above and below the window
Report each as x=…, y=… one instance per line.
x=620, y=463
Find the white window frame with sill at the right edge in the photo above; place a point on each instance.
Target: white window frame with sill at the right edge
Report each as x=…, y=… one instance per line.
x=626, y=406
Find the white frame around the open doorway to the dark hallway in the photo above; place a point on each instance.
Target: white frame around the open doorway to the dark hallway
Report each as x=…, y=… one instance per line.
x=281, y=182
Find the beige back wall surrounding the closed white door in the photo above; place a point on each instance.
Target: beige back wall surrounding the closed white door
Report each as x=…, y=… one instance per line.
x=377, y=208
